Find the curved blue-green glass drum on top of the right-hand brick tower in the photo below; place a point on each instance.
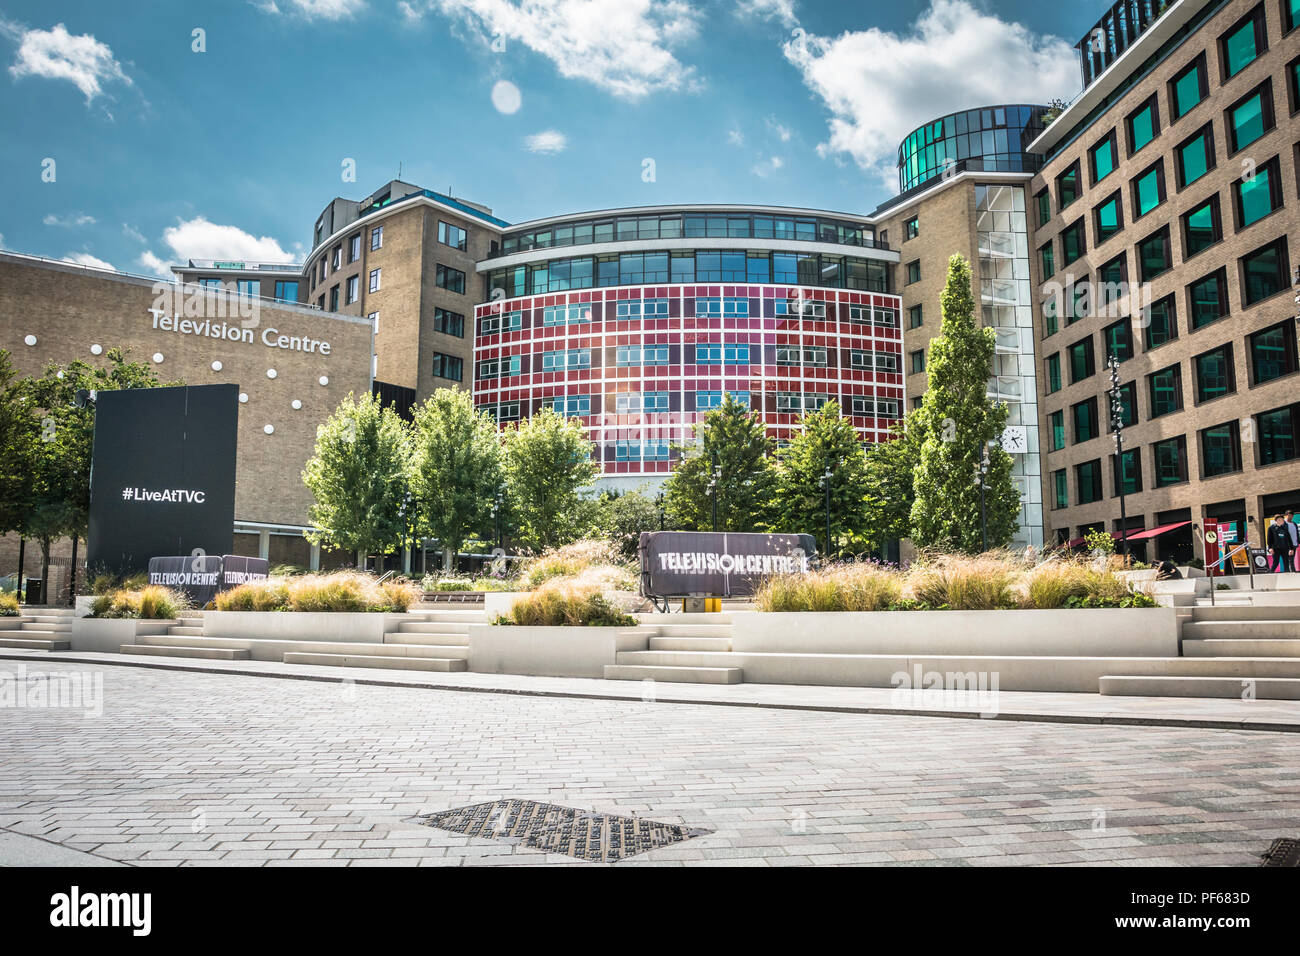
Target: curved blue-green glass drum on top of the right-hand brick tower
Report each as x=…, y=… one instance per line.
x=987, y=140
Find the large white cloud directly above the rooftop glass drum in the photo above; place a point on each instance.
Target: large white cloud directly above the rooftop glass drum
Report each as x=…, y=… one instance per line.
x=879, y=86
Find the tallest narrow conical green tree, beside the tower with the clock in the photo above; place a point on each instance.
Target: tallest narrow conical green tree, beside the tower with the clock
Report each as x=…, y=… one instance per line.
x=959, y=425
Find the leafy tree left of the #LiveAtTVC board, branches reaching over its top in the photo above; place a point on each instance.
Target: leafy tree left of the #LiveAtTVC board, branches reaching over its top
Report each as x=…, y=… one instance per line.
x=67, y=443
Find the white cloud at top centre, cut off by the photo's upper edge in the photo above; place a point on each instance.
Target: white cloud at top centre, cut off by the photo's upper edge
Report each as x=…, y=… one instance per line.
x=621, y=46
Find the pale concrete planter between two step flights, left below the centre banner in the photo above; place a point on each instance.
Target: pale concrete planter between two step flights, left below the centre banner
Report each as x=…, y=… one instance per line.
x=551, y=652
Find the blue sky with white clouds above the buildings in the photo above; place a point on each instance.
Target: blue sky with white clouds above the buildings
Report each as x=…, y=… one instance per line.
x=137, y=135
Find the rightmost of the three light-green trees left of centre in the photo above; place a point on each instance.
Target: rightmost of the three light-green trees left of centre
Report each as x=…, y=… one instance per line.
x=548, y=465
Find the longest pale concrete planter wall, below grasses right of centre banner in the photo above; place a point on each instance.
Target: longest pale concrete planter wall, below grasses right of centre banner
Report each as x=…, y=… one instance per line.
x=1076, y=633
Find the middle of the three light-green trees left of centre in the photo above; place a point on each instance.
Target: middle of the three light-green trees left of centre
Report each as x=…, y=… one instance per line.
x=457, y=470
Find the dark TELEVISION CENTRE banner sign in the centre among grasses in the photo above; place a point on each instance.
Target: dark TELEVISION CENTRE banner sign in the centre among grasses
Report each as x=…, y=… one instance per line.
x=704, y=564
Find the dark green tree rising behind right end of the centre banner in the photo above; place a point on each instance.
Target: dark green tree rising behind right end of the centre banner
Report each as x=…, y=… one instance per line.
x=825, y=440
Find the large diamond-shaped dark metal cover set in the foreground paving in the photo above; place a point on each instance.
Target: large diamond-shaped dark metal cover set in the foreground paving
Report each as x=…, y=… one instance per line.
x=583, y=834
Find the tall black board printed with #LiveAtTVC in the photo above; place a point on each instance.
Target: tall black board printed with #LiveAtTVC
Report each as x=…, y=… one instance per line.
x=163, y=475
